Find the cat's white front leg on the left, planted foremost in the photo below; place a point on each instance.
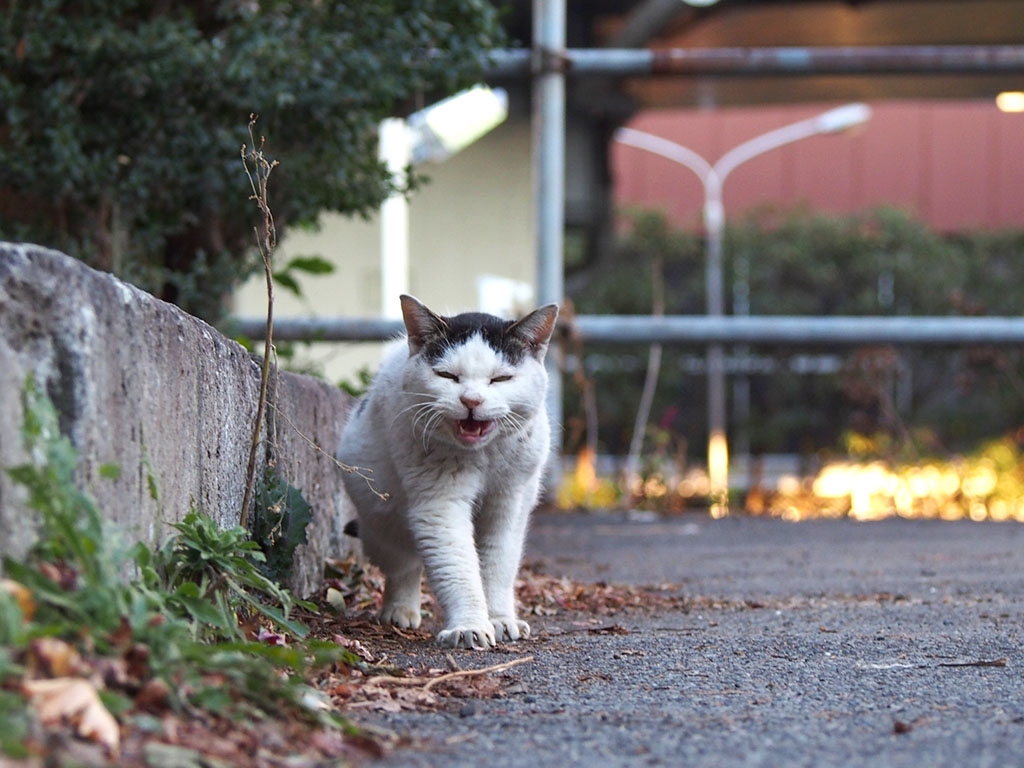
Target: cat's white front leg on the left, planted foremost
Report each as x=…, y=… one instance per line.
x=444, y=535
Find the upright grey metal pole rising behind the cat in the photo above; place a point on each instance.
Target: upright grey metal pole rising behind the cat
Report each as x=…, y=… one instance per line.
x=549, y=180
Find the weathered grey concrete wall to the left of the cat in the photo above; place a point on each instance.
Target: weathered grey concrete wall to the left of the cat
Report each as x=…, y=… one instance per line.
x=135, y=377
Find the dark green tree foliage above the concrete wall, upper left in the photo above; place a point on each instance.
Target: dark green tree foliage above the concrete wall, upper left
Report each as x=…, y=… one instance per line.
x=121, y=121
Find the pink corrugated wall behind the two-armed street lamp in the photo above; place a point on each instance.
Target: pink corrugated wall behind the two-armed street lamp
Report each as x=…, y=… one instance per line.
x=960, y=165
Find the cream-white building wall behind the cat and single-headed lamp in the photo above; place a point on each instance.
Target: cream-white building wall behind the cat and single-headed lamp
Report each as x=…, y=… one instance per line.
x=474, y=219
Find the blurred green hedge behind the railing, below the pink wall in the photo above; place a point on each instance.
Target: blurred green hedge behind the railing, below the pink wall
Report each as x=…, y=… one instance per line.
x=884, y=263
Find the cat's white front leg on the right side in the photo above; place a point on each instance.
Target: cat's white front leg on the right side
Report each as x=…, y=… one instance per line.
x=501, y=530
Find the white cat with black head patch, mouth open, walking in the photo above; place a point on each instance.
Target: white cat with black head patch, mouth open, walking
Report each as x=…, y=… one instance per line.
x=455, y=433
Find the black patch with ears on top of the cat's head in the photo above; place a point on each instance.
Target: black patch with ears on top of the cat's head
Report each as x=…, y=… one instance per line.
x=434, y=335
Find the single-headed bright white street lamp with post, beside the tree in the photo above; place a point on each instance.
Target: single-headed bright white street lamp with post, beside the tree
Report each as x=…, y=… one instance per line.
x=431, y=136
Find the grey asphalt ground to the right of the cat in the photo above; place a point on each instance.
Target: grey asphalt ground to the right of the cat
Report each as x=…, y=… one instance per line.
x=831, y=644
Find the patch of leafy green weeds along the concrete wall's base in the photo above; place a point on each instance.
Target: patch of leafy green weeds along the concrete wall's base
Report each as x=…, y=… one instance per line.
x=200, y=616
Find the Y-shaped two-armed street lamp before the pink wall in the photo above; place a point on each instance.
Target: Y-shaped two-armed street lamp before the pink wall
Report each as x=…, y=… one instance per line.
x=712, y=180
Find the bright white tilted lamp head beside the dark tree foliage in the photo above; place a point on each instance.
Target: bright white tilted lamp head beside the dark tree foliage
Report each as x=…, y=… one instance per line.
x=453, y=124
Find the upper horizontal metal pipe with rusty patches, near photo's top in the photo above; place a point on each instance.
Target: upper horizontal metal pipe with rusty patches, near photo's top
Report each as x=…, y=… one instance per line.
x=861, y=60
